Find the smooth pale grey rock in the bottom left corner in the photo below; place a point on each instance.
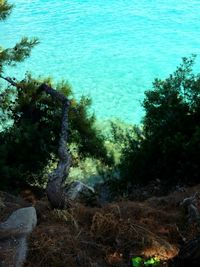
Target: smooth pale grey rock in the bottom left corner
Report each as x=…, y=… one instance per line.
x=13, y=237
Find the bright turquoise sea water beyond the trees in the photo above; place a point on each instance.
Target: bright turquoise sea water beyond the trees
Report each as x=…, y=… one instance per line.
x=110, y=50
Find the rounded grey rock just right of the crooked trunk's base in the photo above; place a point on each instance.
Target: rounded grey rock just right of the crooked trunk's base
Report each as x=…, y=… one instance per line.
x=79, y=192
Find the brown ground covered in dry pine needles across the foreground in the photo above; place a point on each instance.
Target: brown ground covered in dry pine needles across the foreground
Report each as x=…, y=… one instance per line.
x=110, y=235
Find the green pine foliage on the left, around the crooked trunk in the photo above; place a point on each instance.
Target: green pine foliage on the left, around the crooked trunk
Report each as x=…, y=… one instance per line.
x=31, y=121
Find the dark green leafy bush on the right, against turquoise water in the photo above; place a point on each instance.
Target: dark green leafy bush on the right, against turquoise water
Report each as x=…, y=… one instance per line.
x=168, y=147
